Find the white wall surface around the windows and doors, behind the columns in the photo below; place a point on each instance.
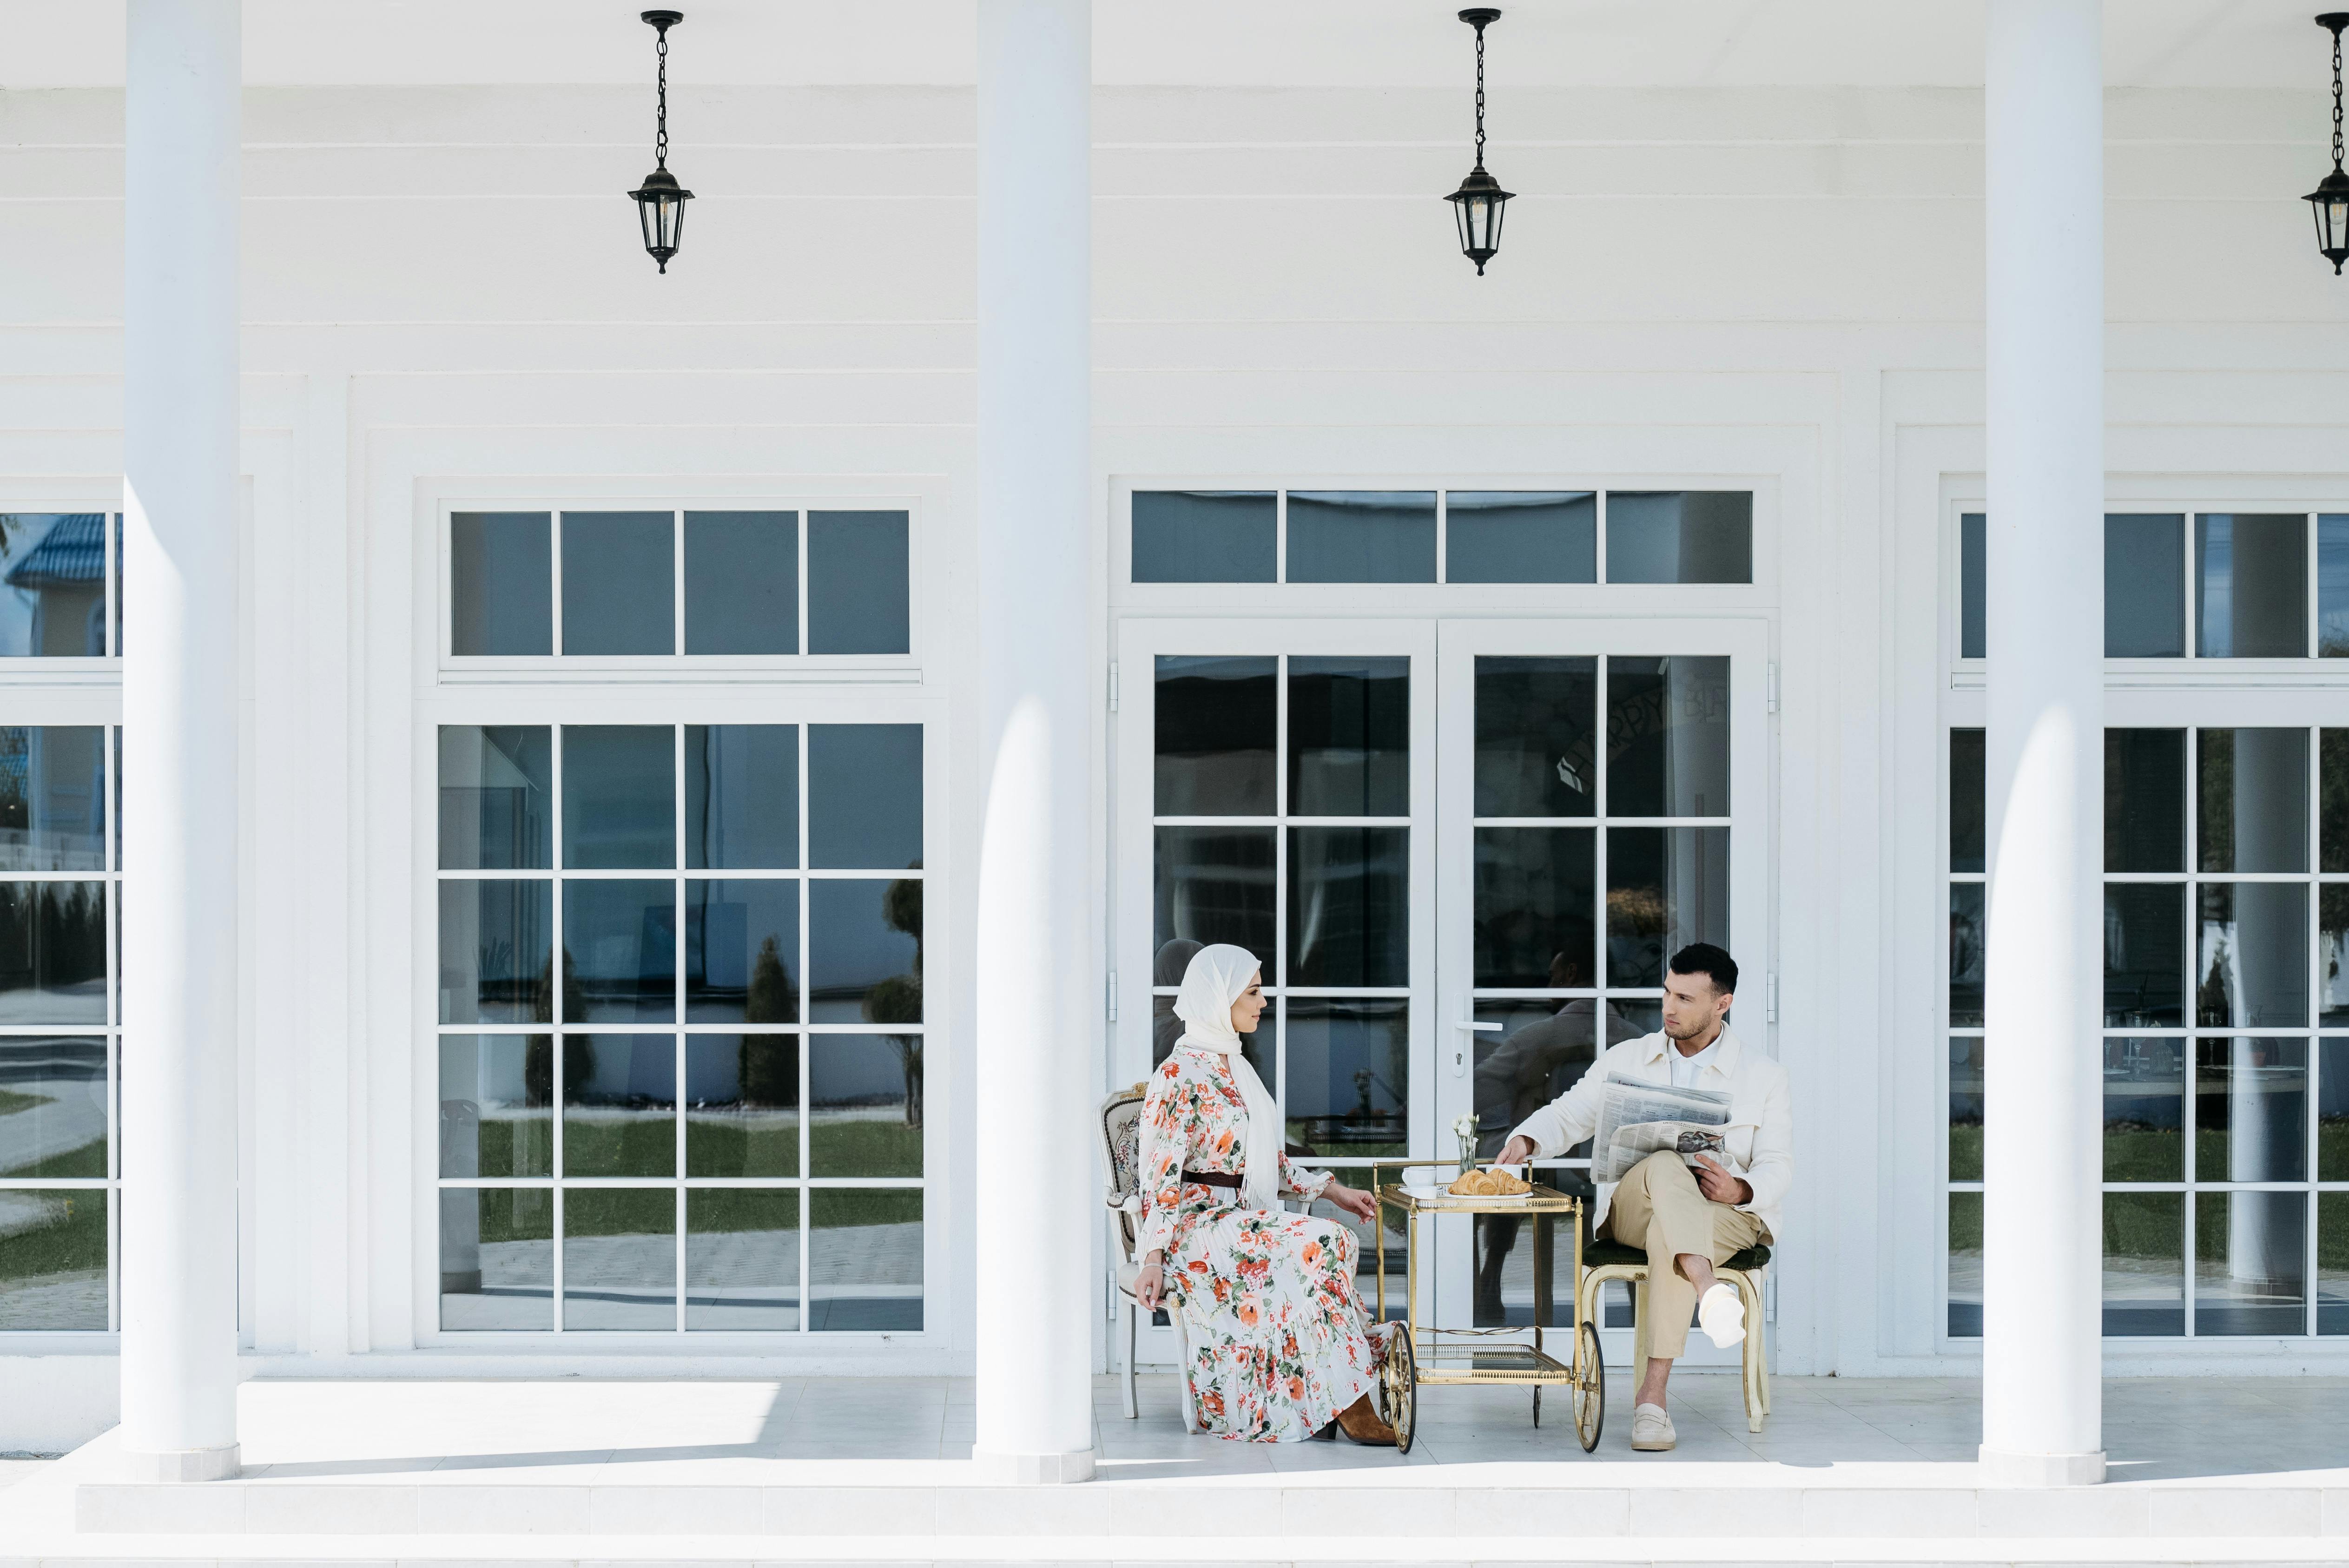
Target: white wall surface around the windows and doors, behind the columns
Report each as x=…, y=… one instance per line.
x=445, y=295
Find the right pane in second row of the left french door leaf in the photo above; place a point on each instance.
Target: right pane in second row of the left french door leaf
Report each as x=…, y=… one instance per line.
x=1350, y=907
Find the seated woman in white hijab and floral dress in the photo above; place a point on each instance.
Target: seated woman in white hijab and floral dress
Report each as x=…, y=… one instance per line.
x=1281, y=1349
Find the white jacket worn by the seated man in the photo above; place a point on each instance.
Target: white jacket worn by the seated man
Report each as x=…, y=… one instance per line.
x=1761, y=1135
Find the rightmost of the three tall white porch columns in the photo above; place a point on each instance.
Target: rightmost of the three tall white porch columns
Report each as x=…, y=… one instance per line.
x=2042, y=1236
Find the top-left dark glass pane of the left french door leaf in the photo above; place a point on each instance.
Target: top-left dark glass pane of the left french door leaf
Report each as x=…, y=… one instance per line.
x=1216, y=736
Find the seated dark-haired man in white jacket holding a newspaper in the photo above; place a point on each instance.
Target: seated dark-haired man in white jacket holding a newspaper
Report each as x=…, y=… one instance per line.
x=1695, y=1156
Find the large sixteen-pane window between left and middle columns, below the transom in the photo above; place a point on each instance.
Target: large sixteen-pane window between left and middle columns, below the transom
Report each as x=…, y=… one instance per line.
x=682, y=1027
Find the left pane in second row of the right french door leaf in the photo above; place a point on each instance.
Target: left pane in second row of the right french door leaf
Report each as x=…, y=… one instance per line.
x=1535, y=907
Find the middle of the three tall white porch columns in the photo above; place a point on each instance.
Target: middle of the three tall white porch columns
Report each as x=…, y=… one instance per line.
x=1037, y=954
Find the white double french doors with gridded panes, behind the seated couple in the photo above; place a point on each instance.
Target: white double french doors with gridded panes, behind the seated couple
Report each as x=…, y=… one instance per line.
x=1462, y=851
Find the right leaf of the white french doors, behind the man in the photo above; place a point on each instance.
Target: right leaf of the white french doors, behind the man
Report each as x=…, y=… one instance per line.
x=1601, y=802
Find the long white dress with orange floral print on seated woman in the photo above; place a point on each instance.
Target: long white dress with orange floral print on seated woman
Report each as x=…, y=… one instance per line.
x=1279, y=1339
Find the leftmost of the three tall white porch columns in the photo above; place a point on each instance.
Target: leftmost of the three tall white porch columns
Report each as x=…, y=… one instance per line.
x=180, y=719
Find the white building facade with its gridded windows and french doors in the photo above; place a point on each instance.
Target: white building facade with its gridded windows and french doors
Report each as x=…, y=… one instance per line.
x=624, y=663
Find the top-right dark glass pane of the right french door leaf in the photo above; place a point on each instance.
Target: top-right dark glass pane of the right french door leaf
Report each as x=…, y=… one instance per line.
x=1669, y=738
